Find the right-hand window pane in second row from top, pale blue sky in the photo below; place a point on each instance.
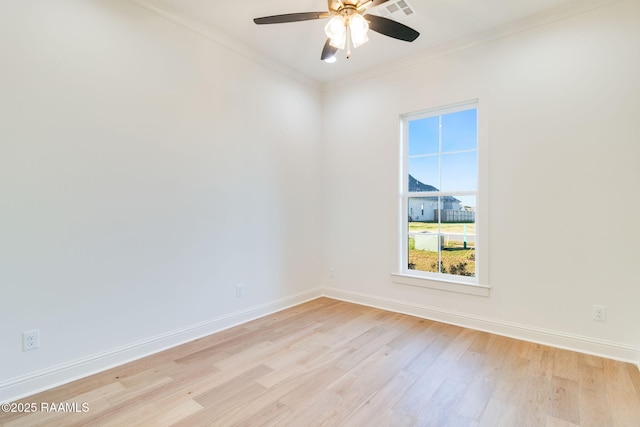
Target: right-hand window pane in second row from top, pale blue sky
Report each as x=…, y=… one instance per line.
x=459, y=171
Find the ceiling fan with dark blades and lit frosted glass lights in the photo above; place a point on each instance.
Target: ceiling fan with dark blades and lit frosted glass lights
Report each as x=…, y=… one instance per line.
x=348, y=25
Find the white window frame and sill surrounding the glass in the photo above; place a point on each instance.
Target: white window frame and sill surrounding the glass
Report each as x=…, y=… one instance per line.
x=475, y=285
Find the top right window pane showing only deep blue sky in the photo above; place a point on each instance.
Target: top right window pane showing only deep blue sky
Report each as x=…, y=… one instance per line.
x=460, y=131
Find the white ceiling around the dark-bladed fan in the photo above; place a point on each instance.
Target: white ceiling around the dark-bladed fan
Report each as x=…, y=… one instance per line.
x=298, y=45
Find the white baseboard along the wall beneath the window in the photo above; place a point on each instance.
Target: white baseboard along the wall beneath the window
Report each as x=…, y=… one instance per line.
x=602, y=348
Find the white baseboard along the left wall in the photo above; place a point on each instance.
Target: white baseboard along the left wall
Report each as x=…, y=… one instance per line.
x=35, y=382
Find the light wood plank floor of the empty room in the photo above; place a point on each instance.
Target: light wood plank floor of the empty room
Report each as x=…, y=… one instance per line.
x=333, y=363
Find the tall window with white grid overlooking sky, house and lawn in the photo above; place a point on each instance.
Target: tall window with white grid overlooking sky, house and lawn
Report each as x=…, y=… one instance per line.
x=439, y=194
